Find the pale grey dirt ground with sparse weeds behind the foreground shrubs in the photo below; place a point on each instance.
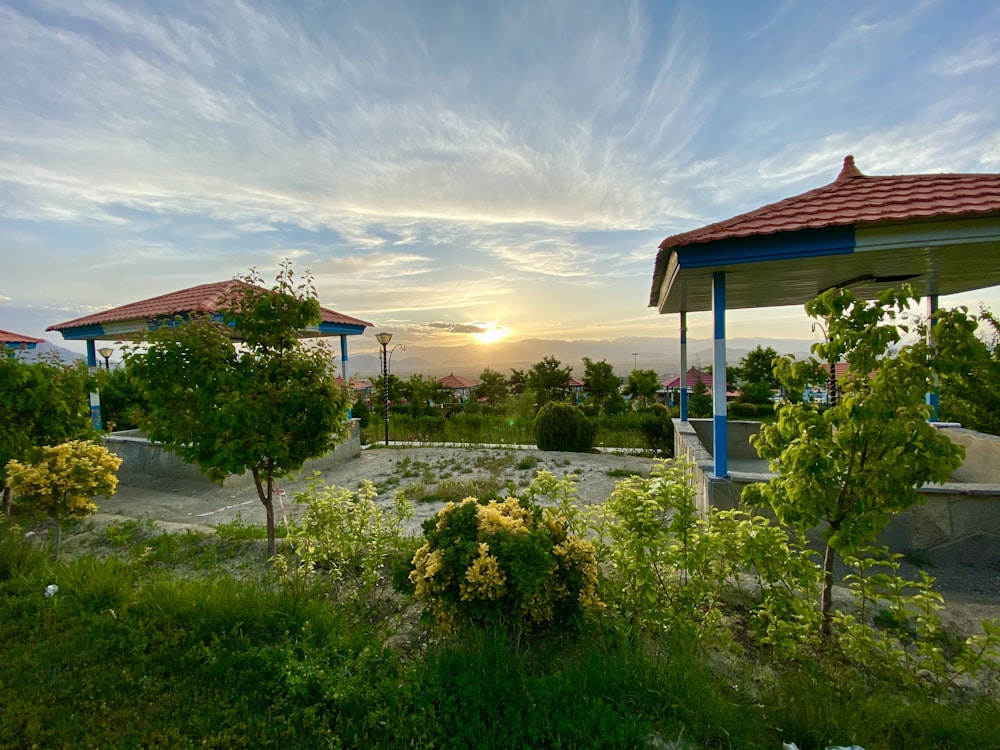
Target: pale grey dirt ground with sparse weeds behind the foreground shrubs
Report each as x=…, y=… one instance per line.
x=971, y=591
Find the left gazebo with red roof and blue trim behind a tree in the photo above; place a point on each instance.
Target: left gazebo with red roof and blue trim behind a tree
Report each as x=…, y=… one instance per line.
x=134, y=320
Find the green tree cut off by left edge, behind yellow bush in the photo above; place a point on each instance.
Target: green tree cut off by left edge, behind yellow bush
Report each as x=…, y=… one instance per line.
x=41, y=403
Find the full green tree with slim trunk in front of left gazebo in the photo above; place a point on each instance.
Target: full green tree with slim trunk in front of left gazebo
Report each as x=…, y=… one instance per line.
x=265, y=407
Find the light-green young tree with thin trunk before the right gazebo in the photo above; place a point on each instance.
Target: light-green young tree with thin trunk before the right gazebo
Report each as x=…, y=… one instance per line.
x=856, y=463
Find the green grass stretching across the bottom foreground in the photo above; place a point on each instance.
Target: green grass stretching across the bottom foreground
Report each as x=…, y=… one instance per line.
x=130, y=654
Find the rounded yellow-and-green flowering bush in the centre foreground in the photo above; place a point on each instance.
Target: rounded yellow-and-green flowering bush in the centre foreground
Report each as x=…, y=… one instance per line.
x=506, y=562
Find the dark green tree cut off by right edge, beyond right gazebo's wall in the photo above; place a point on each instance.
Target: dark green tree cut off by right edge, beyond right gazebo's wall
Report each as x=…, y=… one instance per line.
x=971, y=396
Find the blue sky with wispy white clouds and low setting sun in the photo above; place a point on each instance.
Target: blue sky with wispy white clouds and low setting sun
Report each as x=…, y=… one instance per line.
x=455, y=171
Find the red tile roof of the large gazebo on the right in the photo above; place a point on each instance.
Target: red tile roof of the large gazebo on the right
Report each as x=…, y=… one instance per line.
x=858, y=198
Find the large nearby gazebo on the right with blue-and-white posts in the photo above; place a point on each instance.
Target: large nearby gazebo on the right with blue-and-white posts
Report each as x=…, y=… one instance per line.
x=939, y=232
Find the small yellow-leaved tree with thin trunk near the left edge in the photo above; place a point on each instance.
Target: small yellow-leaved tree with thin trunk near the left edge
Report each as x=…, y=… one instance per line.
x=61, y=481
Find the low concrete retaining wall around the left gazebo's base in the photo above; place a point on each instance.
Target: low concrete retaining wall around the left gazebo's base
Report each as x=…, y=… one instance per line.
x=146, y=464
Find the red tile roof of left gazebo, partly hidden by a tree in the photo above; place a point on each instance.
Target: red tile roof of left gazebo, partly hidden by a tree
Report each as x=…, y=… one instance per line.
x=204, y=298
